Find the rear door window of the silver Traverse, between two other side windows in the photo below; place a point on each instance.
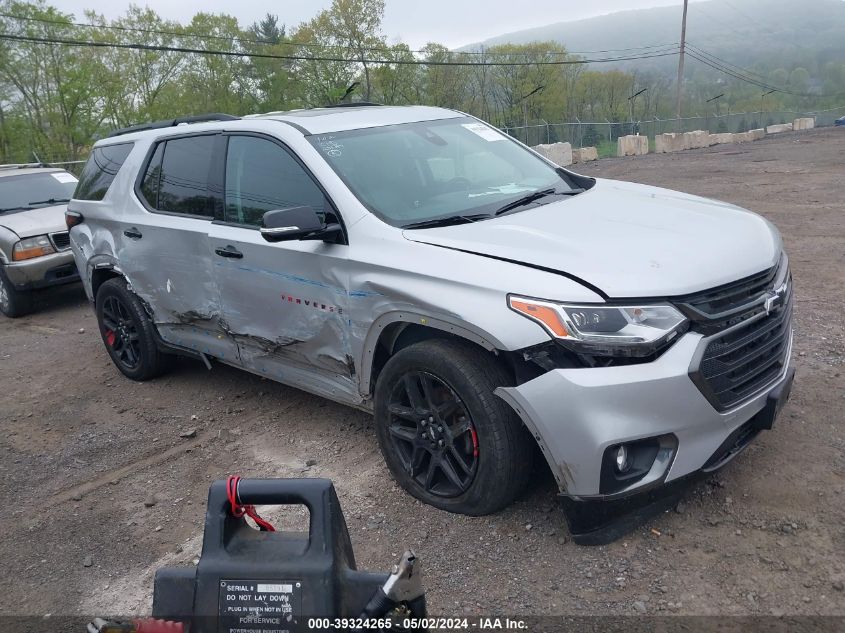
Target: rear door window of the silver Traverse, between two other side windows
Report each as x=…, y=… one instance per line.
x=177, y=179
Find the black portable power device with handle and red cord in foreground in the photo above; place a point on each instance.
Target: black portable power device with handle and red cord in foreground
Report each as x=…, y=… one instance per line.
x=250, y=580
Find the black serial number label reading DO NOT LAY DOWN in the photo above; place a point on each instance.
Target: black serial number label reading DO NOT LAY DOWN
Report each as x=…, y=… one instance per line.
x=259, y=606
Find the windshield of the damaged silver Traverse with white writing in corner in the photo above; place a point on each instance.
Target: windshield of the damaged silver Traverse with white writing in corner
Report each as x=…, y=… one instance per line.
x=413, y=172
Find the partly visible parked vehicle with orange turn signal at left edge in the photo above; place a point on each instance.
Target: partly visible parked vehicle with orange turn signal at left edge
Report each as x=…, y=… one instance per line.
x=34, y=243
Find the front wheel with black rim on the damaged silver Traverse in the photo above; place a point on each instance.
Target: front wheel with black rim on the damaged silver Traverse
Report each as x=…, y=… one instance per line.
x=430, y=377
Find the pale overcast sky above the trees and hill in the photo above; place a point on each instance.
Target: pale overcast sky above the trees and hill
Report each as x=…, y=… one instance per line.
x=450, y=22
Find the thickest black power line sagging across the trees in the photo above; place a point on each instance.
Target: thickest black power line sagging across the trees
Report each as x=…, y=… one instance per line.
x=306, y=58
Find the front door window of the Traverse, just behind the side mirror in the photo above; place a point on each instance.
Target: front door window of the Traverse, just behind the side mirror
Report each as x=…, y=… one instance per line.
x=262, y=176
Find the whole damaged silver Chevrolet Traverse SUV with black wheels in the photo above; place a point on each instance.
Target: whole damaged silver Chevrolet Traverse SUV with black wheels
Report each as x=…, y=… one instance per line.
x=485, y=304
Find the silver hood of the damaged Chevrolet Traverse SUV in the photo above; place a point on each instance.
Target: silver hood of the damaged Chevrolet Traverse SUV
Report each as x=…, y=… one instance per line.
x=626, y=240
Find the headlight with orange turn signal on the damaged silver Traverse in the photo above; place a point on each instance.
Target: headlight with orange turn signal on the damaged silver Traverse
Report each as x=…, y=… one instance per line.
x=631, y=330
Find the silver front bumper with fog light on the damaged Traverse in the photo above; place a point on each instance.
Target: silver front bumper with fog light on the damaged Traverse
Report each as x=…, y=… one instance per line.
x=576, y=414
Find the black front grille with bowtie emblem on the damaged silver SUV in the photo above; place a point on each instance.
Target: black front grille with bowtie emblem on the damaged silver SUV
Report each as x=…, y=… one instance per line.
x=747, y=350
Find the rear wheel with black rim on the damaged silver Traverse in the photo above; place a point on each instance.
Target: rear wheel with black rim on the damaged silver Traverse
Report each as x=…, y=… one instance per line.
x=128, y=333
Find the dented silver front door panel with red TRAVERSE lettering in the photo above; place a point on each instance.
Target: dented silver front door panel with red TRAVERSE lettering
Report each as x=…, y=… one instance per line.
x=285, y=306
